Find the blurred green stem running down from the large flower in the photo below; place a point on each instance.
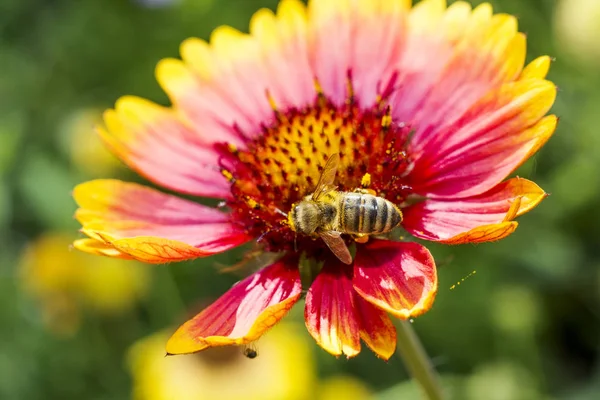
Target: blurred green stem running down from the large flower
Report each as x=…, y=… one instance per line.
x=417, y=362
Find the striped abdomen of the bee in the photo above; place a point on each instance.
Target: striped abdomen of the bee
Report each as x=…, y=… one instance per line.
x=368, y=214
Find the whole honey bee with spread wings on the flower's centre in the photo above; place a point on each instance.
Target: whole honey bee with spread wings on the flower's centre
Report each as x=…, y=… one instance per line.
x=329, y=213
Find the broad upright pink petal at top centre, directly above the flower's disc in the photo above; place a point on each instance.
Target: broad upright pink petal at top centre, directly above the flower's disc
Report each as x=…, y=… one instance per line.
x=346, y=36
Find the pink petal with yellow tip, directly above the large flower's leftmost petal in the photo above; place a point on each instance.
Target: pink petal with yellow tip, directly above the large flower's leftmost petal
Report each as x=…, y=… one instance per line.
x=155, y=142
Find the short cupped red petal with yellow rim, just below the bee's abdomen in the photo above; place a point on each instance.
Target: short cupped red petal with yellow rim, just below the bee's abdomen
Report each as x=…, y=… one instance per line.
x=397, y=277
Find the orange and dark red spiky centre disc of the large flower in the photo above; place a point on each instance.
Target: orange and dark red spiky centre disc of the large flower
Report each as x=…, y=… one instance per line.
x=284, y=163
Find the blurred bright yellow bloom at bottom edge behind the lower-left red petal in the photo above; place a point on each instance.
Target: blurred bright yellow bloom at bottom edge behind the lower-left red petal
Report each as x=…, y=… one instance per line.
x=283, y=370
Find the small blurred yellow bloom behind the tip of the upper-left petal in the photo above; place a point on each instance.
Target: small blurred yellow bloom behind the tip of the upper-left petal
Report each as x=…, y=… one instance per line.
x=86, y=150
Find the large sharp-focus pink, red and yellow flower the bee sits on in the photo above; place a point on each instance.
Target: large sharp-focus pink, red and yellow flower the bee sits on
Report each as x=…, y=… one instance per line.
x=430, y=105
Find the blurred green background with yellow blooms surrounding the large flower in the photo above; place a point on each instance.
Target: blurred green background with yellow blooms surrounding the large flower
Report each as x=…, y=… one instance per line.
x=526, y=325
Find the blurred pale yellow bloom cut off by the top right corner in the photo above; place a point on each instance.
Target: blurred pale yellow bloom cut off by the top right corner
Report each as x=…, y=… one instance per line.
x=577, y=27
